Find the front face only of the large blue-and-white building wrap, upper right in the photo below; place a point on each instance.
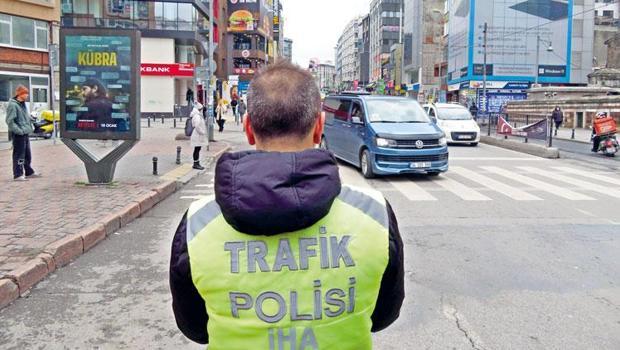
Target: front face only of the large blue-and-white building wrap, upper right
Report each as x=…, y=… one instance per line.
x=512, y=37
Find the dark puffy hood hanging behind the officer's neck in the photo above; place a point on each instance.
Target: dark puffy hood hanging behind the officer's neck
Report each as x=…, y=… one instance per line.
x=268, y=193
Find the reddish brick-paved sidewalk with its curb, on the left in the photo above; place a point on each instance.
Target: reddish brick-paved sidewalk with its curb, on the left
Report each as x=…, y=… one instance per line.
x=46, y=222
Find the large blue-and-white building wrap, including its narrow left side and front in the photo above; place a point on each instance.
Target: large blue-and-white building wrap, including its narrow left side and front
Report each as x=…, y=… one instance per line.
x=513, y=28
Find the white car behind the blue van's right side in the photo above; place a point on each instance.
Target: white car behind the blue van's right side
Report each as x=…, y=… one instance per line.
x=455, y=121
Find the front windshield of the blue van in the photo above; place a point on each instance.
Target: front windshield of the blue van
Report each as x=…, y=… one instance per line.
x=393, y=110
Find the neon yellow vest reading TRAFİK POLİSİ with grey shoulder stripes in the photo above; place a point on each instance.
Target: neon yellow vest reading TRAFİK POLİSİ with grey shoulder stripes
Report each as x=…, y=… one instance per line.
x=311, y=289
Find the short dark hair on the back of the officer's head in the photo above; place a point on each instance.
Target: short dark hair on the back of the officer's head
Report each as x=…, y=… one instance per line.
x=283, y=100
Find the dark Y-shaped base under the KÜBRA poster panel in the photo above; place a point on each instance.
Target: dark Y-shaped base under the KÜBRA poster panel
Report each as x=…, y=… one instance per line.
x=100, y=171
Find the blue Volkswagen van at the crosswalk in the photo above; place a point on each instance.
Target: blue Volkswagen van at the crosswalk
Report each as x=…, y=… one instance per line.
x=383, y=135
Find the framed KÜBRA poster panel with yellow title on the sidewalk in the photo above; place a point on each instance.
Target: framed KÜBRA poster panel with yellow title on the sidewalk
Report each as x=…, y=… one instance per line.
x=99, y=84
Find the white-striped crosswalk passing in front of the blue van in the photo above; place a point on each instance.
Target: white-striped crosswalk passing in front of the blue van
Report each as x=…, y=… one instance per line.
x=481, y=184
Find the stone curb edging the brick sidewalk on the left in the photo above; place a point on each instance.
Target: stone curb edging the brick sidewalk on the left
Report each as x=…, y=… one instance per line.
x=18, y=282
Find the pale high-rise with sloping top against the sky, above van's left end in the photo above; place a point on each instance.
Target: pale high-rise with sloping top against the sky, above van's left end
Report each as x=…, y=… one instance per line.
x=347, y=56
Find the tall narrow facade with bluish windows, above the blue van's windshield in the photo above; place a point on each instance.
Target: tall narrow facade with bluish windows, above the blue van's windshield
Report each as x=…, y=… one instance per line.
x=385, y=30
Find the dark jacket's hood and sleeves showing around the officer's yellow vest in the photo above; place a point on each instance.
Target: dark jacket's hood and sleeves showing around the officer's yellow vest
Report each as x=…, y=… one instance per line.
x=263, y=193
